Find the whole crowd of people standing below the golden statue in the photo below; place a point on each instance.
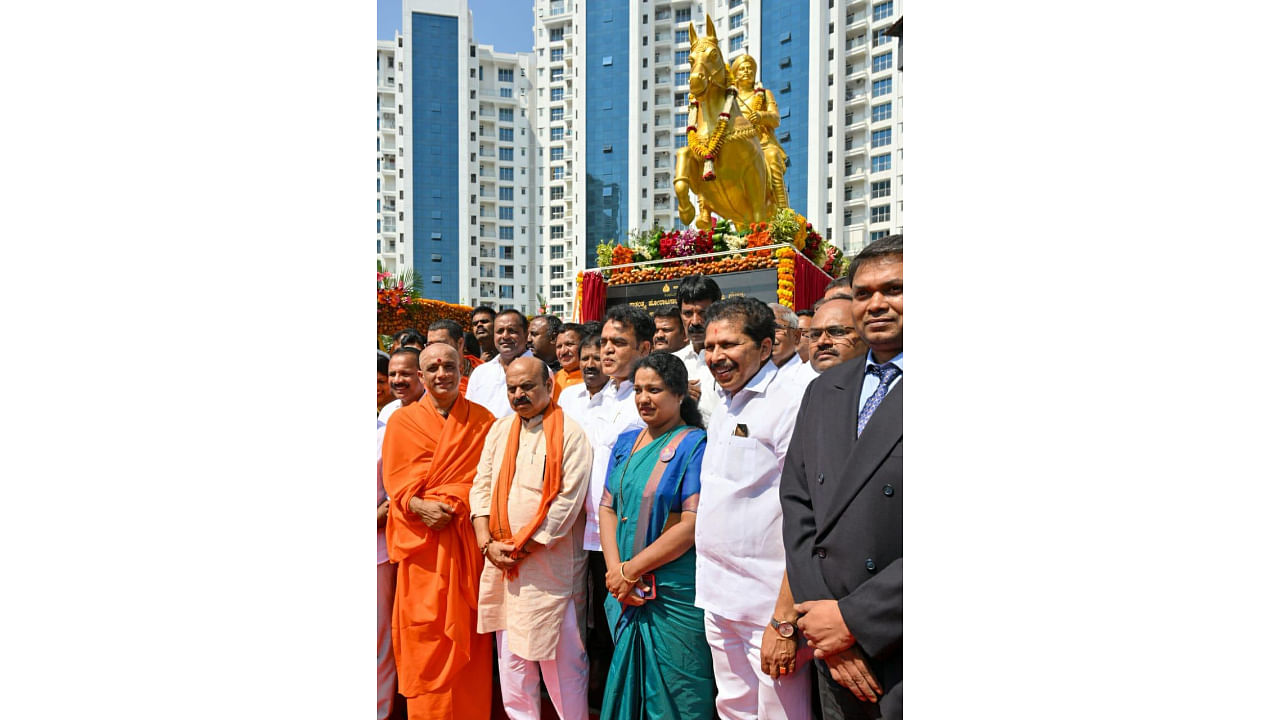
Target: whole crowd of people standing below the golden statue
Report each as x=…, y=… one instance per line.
x=688, y=514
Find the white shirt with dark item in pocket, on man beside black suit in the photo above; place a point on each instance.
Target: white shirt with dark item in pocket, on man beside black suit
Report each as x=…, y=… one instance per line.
x=739, y=531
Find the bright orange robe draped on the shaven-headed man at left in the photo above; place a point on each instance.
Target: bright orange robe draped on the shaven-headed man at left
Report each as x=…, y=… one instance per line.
x=444, y=666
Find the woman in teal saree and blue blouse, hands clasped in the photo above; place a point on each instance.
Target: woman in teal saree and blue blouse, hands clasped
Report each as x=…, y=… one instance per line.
x=662, y=667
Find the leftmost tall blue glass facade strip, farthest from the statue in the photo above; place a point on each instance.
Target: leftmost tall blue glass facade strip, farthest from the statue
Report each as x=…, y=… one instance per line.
x=436, y=153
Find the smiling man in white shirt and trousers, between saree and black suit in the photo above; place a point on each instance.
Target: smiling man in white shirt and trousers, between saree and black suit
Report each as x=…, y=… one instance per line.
x=742, y=569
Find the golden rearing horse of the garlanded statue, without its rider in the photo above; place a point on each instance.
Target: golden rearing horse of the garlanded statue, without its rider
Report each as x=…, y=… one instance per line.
x=724, y=163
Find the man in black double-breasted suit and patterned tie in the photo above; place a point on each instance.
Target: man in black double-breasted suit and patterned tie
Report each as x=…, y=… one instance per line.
x=842, y=498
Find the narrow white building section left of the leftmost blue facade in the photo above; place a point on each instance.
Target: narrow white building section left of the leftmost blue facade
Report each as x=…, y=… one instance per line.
x=394, y=253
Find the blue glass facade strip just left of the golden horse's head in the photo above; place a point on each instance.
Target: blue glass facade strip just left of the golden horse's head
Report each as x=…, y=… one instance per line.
x=606, y=122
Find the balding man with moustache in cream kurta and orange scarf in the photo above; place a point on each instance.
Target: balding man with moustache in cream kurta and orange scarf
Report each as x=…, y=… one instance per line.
x=527, y=508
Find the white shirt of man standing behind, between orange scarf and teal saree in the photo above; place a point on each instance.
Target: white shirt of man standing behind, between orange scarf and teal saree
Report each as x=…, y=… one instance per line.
x=610, y=413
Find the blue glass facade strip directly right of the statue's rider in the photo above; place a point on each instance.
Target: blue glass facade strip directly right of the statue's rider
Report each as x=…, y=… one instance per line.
x=785, y=60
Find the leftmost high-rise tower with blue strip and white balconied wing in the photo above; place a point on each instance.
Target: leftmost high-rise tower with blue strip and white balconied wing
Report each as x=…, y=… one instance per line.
x=468, y=166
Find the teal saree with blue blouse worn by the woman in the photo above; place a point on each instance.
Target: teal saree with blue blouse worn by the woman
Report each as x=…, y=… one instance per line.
x=662, y=667
